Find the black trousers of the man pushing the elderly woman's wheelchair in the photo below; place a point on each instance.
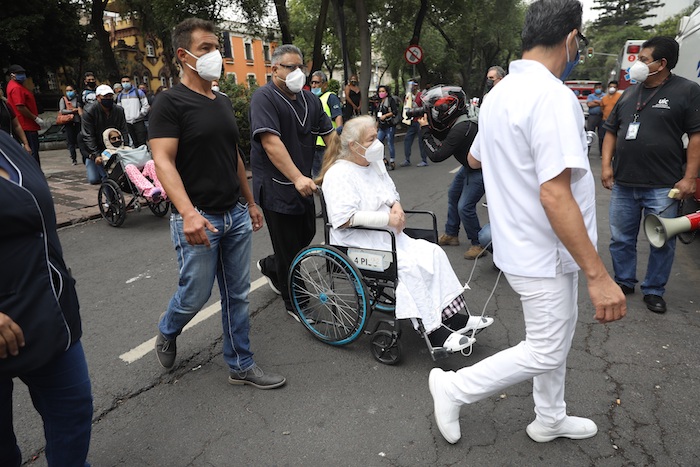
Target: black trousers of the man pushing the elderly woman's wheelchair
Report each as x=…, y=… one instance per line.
x=289, y=233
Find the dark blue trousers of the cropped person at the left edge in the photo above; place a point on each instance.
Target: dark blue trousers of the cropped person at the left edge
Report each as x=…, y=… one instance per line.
x=61, y=393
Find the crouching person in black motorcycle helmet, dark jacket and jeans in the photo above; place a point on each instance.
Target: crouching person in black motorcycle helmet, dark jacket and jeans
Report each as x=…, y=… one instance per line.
x=448, y=127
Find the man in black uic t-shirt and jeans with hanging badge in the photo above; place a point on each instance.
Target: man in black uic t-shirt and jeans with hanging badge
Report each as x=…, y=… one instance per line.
x=643, y=159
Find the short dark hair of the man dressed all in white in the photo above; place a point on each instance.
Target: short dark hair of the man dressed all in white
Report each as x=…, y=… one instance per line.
x=548, y=22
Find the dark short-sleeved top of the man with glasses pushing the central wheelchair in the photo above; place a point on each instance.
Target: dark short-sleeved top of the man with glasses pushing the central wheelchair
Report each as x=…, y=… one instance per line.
x=297, y=122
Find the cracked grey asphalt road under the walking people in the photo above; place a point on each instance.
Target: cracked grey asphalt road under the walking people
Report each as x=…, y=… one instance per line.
x=637, y=378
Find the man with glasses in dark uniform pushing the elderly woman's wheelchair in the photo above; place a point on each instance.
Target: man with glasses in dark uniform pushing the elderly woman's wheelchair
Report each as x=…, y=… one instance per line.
x=284, y=124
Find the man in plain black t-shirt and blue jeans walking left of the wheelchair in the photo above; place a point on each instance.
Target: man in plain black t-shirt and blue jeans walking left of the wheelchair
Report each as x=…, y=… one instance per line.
x=194, y=139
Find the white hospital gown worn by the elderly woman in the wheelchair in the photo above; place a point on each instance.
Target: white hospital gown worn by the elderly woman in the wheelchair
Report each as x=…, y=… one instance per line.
x=427, y=282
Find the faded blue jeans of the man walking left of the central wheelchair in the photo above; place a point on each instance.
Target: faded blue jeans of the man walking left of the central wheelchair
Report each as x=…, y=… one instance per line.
x=227, y=259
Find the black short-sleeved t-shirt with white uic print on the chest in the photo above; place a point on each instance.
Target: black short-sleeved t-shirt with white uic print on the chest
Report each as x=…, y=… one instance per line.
x=656, y=157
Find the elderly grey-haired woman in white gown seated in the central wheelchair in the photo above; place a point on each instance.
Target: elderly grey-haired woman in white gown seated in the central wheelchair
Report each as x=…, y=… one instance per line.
x=359, y=192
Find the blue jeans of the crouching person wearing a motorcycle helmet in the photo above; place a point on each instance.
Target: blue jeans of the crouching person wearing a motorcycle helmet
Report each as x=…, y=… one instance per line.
x=466, y=190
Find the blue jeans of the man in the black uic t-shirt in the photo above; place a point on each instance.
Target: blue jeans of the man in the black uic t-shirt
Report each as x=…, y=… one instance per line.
x=627, y=205
